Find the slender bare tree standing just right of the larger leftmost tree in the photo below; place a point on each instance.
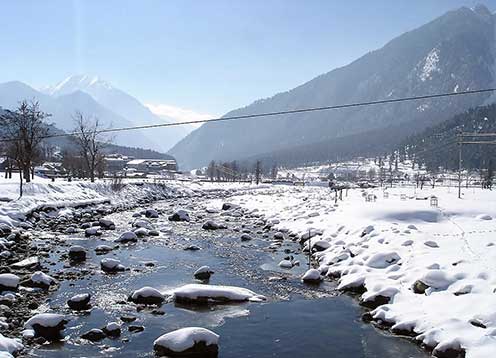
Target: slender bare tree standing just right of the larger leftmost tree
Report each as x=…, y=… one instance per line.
x=90, y=142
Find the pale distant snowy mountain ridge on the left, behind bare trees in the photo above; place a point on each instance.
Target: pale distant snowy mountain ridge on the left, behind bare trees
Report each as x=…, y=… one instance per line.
x=93, y=96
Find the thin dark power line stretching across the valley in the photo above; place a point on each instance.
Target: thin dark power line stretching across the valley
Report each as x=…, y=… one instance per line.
x=277, y=113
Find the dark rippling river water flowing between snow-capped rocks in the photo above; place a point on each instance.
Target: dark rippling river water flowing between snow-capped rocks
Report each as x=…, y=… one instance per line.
x=297, y=320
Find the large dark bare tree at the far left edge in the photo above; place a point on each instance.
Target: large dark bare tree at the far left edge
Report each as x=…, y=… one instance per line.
x=25, y=129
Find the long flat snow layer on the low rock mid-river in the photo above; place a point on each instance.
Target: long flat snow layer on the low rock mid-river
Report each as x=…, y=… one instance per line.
x=215, y=293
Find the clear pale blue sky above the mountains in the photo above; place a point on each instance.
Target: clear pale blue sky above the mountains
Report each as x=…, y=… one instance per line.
x=200, y=58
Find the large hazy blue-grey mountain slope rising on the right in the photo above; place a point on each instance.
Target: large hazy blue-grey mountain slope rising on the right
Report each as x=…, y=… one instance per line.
x=454, y=52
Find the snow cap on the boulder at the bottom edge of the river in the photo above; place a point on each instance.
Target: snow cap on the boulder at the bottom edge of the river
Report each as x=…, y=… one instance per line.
x=185, y=338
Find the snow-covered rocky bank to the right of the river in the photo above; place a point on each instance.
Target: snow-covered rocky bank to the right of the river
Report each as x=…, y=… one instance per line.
x=388, y=246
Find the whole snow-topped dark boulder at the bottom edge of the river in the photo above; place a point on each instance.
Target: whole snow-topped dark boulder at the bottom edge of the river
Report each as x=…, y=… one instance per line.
x=187, y=341
